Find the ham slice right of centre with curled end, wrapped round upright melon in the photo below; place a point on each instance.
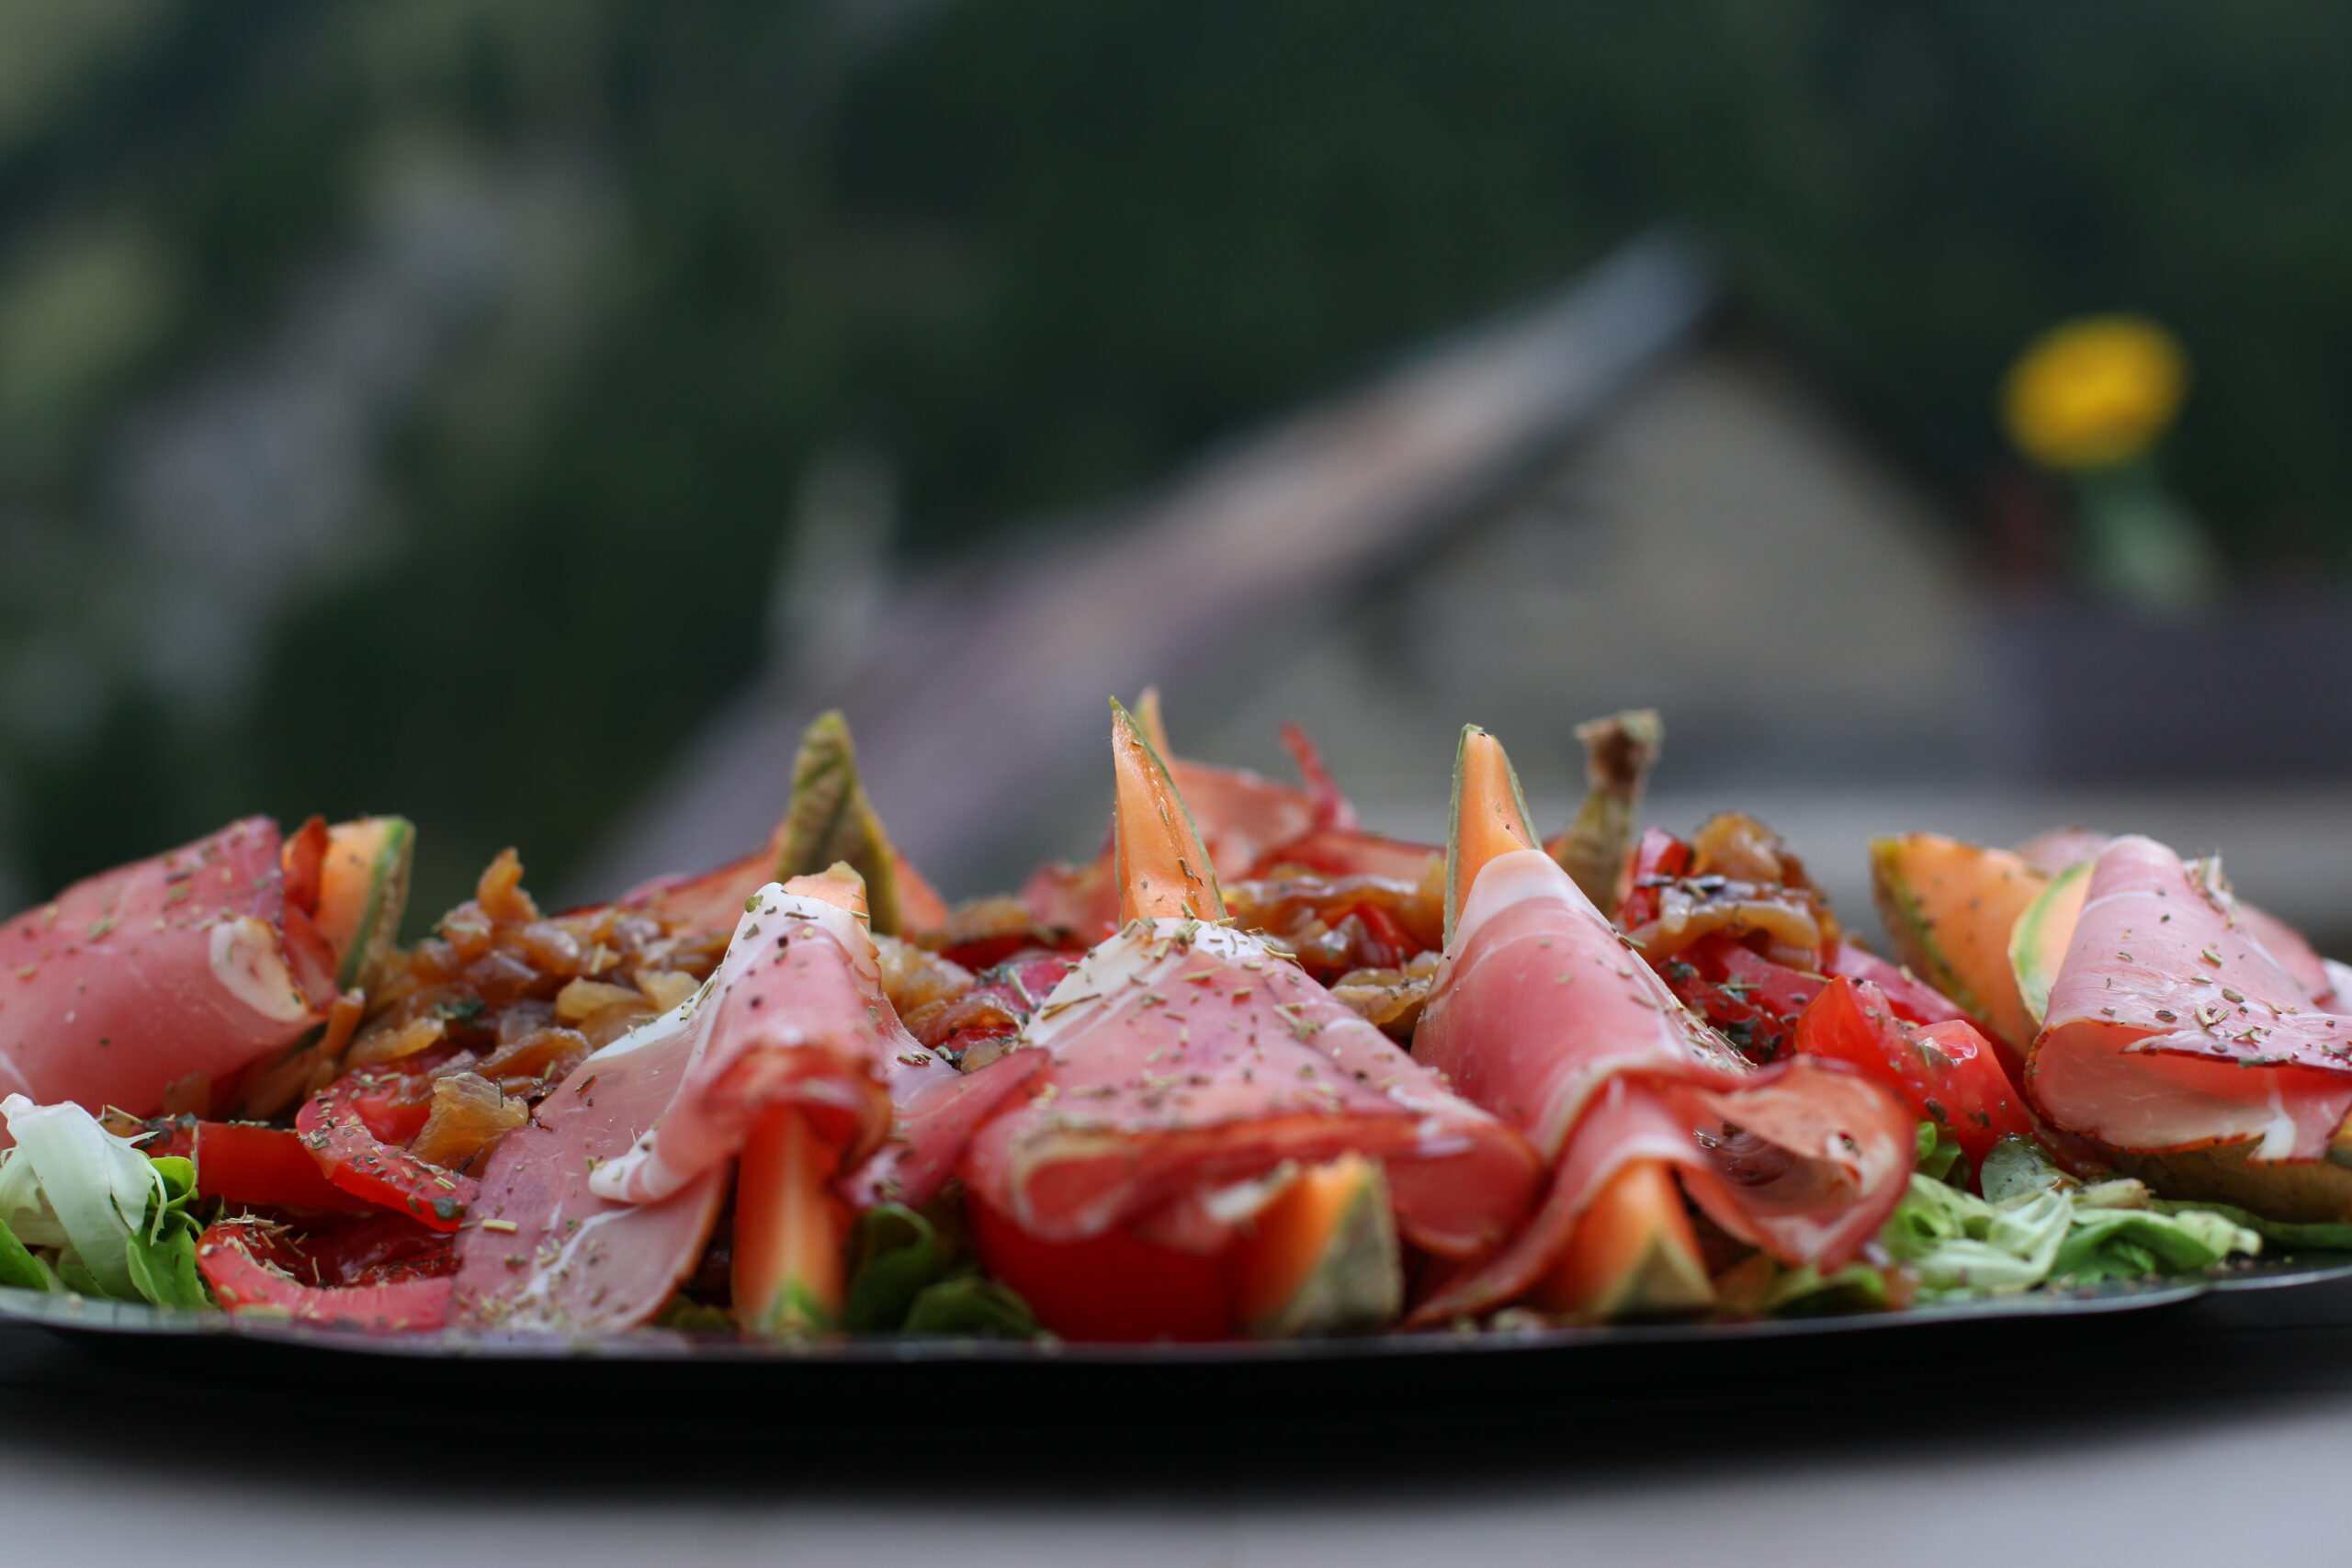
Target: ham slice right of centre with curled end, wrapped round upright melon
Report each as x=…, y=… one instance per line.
x=1546, y=1019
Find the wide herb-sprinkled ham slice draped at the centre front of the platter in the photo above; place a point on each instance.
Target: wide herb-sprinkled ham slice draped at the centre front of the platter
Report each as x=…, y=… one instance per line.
x=1189, y=1061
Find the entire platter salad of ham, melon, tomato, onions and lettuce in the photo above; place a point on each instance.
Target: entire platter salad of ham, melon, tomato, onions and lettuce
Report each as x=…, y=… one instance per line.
x=1250, y=1073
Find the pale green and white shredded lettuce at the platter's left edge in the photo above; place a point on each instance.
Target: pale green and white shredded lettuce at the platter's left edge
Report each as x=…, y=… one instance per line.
x=114, y=1219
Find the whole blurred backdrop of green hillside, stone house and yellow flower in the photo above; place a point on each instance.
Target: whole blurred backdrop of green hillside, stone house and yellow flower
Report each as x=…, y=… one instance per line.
x=526, y=417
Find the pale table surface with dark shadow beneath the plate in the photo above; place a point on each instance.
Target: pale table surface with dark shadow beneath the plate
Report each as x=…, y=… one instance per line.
x=2221, y=1440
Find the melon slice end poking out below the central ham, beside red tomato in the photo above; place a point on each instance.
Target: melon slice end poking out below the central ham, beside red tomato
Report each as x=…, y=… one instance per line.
x=1321, y=1257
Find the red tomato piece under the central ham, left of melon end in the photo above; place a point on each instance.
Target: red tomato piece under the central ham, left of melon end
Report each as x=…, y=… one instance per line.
x=1107, y=1289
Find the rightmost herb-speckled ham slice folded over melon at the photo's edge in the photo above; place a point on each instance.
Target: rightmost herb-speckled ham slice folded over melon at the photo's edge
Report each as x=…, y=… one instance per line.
x=2174, y=1028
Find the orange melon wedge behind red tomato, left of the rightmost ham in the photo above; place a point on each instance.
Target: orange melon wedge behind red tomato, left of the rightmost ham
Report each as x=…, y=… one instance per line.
x=1949, y=911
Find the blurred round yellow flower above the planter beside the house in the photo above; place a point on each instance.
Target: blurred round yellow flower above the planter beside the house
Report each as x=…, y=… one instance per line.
x=2094, y=391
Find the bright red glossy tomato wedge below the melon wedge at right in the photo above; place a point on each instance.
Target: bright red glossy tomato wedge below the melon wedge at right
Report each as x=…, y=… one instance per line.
x=1946, y=1071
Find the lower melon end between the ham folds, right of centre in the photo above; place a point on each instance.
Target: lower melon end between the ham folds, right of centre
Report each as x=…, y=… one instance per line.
x=1633, y=1254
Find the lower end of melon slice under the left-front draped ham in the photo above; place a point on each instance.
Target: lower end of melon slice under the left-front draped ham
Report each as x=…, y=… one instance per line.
x=789, y=1240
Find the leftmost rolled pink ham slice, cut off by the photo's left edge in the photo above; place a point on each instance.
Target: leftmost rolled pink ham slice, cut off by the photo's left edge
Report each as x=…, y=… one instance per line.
x=156, y=972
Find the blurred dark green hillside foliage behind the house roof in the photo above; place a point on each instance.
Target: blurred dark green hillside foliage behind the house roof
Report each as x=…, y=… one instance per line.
x=1036, y=253
